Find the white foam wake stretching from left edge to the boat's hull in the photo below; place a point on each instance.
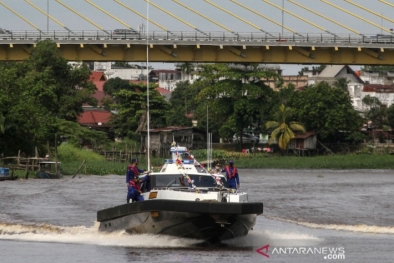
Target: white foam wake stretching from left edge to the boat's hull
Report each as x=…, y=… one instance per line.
x=83, y=235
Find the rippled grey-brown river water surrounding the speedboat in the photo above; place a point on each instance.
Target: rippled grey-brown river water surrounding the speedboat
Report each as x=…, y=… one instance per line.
x=309, y=216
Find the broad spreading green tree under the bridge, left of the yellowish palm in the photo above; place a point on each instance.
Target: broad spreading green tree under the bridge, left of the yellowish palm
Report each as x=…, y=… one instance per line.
x=236, y=96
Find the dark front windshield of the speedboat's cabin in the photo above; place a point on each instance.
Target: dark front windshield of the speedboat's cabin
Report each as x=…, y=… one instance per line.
x=178, y=180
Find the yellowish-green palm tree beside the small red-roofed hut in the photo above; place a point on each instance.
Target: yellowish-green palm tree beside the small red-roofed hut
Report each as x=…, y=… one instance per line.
x=283, y=132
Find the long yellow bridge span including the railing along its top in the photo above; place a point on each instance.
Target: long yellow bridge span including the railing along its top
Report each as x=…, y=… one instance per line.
x=207, y=47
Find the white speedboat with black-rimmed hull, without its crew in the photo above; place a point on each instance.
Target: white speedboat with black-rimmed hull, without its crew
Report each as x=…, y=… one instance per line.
x=185, y=200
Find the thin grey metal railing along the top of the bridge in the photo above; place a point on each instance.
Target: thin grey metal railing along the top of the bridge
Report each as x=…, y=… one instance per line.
x=196, y=36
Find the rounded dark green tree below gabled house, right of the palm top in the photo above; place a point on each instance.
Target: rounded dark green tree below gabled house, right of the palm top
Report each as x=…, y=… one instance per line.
x=325, y=110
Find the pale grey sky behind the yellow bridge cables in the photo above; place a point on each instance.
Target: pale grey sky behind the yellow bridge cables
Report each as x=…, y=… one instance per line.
x=379, y=17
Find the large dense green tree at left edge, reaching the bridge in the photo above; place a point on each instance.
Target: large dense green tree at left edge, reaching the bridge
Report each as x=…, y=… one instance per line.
x=37, y=92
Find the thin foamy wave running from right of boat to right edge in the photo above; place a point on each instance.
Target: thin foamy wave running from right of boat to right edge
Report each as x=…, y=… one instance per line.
x=352, y=228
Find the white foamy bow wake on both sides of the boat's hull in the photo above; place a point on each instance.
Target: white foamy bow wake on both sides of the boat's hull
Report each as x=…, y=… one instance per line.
x=91, y=236
